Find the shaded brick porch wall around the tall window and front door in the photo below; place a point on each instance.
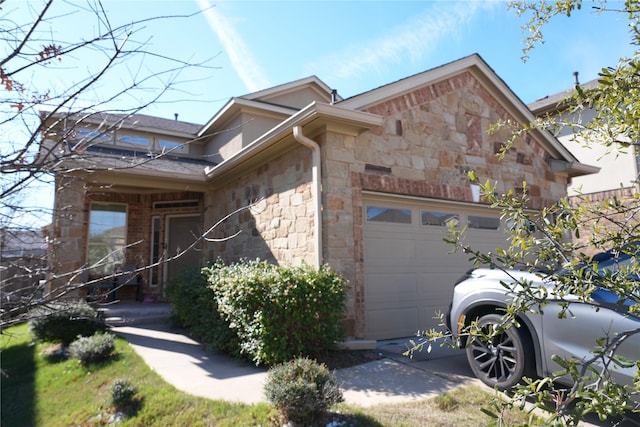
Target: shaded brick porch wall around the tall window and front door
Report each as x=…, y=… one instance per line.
x=70, y=230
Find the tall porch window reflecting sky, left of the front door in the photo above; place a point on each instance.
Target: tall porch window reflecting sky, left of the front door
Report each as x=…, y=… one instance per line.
x=107, y=237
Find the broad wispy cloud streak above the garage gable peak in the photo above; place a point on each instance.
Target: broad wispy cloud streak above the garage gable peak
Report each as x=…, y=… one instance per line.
x=412, y=40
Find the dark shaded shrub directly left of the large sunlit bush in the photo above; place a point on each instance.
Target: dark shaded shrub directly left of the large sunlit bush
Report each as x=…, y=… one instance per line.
x=196, y=309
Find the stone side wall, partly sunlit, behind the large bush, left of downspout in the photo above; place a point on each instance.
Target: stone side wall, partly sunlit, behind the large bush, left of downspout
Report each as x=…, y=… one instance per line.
x=279, y=228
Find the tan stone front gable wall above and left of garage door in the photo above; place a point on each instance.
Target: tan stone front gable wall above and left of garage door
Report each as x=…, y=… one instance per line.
x=430, y=139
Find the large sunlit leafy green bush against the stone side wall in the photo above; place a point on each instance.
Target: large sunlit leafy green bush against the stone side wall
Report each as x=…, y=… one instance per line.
x=280, y=313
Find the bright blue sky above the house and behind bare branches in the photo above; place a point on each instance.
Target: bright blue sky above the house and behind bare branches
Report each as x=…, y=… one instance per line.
x=353, y=46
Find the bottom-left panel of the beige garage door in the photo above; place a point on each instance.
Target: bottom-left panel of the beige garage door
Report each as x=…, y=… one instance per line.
x=388, y=323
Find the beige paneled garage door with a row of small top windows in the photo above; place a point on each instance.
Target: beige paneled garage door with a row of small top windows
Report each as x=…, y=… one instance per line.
x=409, y=269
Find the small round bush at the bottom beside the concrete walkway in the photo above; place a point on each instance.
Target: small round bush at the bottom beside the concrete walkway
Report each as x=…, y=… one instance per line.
x=302, y=390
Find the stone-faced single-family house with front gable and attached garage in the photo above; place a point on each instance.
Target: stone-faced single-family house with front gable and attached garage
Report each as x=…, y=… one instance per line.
x=366, y=184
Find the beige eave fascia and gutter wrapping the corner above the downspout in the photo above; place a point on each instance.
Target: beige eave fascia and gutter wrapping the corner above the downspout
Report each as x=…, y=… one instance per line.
x=308, y=114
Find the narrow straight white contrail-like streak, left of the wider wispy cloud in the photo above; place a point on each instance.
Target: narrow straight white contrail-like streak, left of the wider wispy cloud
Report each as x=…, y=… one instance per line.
x=239, y=54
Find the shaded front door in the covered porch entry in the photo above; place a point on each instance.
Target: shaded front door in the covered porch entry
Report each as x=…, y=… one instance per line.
x=182, y=232
